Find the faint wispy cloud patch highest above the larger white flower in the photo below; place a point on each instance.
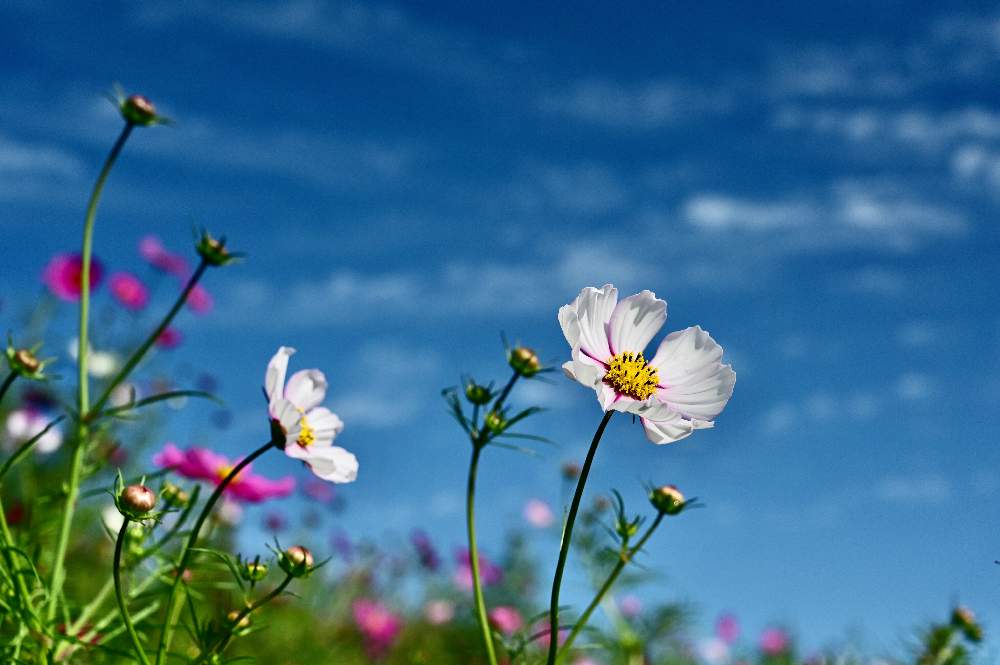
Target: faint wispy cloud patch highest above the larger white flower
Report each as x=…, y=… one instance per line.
x=643, y=106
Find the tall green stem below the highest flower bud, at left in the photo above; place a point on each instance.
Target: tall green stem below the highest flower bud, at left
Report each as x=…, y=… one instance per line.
x=83, y=401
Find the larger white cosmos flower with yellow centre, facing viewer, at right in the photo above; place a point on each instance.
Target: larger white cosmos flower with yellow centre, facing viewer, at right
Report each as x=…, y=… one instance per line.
x=683, y=387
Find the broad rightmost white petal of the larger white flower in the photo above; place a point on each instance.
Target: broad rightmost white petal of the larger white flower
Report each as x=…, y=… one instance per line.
x=693, y=379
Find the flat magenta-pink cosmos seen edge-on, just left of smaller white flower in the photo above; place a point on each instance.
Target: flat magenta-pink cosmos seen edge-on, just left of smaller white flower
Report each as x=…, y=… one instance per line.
x=203, y=464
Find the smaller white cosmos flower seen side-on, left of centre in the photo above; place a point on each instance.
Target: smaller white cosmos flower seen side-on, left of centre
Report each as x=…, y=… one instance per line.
x=309, y=428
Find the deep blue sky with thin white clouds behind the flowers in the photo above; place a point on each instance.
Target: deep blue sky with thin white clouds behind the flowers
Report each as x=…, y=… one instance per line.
x=815, y=185
